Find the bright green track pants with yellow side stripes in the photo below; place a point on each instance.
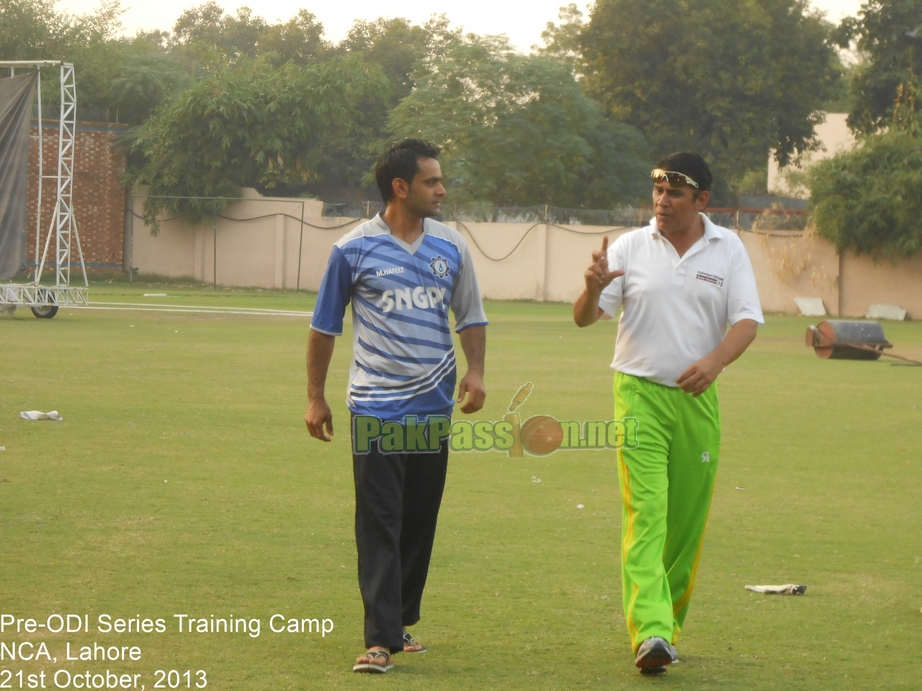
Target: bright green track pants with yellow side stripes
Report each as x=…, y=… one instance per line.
x=666, y=487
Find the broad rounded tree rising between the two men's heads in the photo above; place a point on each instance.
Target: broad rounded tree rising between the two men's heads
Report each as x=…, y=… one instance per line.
x=518, y=130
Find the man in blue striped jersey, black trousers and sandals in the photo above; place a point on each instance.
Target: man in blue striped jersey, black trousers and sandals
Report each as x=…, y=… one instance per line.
x=401, y=271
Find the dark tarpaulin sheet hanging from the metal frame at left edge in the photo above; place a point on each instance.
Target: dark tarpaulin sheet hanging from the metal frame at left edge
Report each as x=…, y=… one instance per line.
x=15, y=117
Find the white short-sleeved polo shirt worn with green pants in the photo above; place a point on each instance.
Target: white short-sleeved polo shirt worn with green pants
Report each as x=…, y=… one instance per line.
x=676, y=309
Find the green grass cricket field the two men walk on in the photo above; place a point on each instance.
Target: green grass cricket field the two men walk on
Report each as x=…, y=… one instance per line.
x=182, y=481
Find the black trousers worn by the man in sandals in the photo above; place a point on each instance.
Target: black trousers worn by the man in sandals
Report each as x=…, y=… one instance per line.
x=397, y=499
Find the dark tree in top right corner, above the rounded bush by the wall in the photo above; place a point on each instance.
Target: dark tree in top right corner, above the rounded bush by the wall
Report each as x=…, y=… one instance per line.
x=889, y=40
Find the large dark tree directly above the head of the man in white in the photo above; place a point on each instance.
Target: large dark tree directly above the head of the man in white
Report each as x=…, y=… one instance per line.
x=731, y=79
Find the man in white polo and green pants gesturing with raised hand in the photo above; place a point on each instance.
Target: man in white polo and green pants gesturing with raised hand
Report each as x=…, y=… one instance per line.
x=681, y=282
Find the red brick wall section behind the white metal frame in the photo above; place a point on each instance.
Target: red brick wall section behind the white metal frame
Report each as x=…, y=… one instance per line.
x=98, y=196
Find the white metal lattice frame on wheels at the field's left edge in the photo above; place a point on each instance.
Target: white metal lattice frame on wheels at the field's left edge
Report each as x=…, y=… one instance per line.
x=45, y=300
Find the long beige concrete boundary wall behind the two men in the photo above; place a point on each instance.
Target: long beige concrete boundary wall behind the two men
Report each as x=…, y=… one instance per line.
x=262, y=242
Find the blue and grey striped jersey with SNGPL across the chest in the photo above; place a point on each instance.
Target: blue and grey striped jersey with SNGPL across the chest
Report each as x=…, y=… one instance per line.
x=404, y=360
